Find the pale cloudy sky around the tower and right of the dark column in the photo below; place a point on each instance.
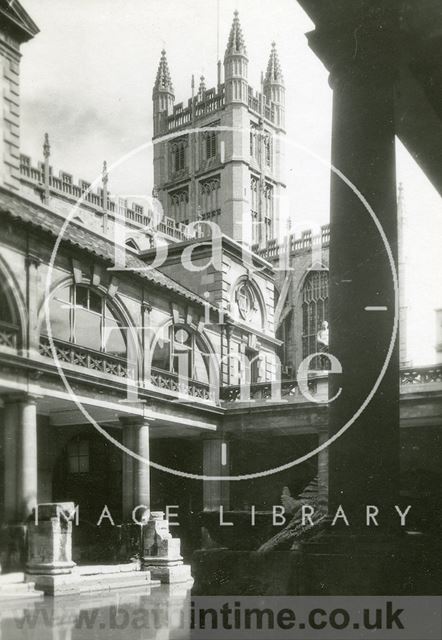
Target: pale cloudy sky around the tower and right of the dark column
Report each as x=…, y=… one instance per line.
x=87, y=80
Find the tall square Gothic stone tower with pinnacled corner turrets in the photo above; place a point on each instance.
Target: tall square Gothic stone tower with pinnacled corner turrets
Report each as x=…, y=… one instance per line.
x=222, y=159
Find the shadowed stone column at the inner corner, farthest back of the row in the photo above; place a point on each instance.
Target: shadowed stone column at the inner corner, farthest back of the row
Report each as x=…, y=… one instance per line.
x=216, y=493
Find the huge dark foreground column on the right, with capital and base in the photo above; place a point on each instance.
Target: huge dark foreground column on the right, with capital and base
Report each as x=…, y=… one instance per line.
x=364, y=460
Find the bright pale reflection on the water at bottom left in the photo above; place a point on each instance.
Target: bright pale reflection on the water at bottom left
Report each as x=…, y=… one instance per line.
x=160, y=613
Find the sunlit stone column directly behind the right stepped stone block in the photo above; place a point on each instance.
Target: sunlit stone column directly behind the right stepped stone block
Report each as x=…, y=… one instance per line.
x=136, y=474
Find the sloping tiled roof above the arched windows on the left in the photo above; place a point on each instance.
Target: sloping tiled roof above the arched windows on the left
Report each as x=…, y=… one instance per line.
x=74, y=235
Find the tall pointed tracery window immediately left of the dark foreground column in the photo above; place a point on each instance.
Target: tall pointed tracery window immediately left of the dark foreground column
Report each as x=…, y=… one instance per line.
x=314, y=312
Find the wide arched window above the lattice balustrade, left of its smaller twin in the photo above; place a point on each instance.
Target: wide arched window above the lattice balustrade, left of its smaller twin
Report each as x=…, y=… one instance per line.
x=80, y=315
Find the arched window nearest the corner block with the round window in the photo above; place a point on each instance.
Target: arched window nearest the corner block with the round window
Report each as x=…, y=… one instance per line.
x=183, y=352
